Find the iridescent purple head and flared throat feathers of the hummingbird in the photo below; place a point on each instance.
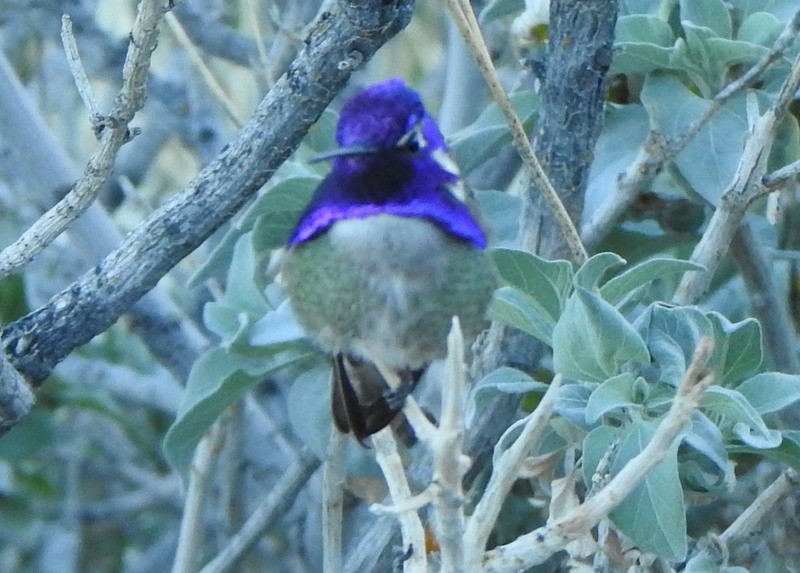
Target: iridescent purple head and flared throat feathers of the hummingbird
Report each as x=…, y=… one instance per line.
x=383, y=177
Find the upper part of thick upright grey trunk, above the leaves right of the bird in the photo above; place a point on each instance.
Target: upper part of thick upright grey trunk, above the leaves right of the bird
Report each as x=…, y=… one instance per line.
x=571, y=115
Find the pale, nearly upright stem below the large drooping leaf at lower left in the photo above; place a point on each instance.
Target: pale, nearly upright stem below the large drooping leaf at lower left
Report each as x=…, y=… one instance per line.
x=189, y=541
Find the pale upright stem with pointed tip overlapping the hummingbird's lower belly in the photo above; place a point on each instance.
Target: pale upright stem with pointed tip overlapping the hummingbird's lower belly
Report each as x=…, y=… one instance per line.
x=448, y=469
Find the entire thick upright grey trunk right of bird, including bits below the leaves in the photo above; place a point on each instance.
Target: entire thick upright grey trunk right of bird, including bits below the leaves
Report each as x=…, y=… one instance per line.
x=568, y=124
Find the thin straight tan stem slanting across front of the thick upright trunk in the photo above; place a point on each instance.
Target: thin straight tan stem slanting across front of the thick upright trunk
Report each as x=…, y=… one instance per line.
x=468, y=26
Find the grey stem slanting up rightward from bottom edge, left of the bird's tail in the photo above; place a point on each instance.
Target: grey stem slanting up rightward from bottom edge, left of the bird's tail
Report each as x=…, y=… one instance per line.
x=274, y=505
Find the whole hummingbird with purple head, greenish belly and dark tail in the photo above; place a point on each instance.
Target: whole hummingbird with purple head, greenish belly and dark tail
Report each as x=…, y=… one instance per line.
x=388, y=250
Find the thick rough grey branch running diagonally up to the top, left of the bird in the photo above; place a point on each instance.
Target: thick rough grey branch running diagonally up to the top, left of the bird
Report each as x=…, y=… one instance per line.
x=341, y=42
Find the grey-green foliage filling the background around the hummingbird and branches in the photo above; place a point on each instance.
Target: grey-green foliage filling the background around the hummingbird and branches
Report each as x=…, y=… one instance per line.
x=93, y=479
